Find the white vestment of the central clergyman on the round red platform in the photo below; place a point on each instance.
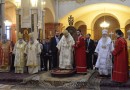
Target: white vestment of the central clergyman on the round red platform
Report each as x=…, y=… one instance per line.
x=65, y=46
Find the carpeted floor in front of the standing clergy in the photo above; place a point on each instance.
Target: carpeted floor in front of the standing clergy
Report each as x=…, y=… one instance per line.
x=44, y=81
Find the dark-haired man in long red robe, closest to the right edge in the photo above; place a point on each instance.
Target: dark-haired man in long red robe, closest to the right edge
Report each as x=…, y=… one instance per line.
x=120, y=68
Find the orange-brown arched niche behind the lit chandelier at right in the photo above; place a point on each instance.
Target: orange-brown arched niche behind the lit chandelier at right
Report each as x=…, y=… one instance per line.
x=97, y=29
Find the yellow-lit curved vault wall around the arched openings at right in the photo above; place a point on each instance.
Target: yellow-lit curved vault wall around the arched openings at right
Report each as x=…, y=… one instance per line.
x=89, y=14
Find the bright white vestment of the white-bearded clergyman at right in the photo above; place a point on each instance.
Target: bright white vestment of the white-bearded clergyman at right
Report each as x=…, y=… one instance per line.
x=104, y=60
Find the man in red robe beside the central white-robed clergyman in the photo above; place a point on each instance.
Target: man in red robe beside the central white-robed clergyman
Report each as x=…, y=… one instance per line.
x=80, y=54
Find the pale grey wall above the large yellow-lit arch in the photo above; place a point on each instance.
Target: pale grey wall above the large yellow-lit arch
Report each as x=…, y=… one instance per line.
x=67, y=6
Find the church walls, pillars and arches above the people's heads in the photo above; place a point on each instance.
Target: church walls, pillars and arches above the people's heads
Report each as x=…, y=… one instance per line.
x=18, y=16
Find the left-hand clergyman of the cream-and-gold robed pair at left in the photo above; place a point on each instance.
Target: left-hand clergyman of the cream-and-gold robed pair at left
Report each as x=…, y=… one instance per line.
x=19, y=62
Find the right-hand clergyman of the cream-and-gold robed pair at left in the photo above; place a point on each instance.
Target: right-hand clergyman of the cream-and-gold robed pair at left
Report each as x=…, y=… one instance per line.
x=33, y=50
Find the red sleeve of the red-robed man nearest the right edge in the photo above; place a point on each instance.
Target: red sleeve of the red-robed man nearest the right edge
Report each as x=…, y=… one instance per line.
x=118, y=47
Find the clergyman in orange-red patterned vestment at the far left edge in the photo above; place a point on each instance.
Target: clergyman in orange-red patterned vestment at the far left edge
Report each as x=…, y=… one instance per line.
x=5, y=54
